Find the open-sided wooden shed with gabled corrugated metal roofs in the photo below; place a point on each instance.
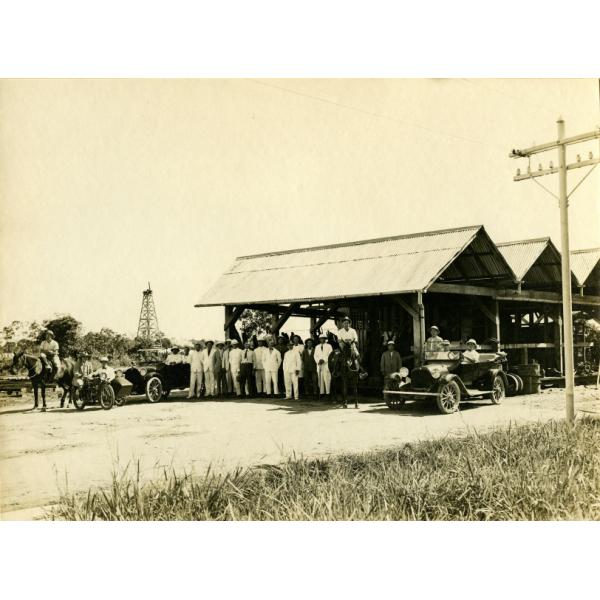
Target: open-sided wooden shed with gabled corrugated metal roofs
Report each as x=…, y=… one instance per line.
x=397, y=287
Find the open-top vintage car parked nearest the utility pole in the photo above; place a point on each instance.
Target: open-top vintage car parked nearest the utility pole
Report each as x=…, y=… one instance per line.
x=448, y=378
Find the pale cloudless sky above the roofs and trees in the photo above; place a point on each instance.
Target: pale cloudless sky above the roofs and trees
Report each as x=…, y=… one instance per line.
x=108, y=184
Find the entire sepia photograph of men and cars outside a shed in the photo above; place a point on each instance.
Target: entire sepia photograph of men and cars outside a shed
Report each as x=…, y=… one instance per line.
x=330, y=299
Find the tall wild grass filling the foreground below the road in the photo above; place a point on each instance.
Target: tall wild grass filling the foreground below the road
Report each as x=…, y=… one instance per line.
x=532, y=472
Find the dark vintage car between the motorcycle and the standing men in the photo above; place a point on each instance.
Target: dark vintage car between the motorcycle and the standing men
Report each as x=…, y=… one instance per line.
x=155, y=379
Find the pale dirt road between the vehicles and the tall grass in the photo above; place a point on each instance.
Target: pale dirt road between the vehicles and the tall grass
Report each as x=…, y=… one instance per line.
x=42, y=454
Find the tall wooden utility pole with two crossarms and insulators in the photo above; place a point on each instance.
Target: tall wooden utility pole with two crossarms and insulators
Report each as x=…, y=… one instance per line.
x=563, y=202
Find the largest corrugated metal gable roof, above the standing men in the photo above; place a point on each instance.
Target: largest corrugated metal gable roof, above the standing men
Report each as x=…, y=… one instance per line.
x=389, y=265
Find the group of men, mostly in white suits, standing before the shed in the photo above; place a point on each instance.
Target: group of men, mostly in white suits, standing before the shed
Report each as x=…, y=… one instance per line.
x=265, y=366
